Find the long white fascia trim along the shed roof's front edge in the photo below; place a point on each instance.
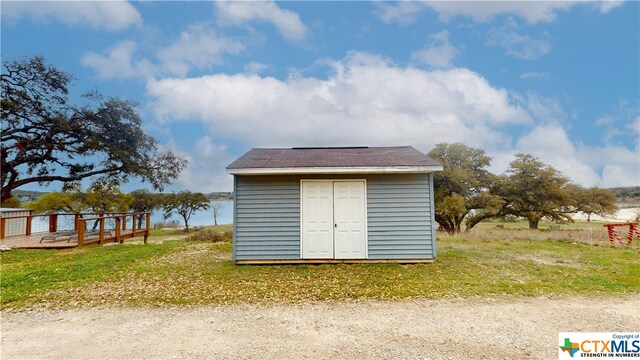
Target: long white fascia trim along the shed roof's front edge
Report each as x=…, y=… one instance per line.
x=337, y=170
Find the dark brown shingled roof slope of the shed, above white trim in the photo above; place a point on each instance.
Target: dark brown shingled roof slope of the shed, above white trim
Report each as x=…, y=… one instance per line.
x=333, y=157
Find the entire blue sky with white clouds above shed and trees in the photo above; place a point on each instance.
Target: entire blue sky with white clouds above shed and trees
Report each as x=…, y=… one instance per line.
x=559, y=80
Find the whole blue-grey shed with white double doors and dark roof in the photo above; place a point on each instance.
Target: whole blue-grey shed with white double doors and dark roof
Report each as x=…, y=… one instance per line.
x=336, y=204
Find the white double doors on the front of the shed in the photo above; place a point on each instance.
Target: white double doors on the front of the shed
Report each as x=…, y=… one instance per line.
x=333, y=219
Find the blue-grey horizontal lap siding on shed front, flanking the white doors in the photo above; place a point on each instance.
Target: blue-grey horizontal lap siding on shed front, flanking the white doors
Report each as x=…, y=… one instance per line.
x=399, y=218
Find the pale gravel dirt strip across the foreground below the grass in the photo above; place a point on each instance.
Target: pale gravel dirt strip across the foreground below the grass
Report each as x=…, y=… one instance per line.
x=421, y=329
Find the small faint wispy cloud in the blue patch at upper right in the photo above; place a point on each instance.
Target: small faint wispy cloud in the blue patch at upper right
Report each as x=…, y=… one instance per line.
x=518, y=45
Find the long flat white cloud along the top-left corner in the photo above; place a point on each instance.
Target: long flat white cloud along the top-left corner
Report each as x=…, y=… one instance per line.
x=103, y=15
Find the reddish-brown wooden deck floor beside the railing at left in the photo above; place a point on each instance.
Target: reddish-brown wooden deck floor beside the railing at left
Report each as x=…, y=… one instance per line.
x=33, y=241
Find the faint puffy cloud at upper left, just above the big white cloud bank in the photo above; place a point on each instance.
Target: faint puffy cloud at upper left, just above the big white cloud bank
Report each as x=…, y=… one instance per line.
x=198, y=47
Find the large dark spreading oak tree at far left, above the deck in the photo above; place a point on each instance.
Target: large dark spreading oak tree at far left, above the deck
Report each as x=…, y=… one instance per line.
x=45, y=138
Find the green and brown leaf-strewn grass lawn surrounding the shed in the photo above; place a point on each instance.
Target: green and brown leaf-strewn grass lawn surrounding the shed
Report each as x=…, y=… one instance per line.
x=490, y=261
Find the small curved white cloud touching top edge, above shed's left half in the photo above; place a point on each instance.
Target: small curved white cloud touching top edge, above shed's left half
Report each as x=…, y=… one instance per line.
x=287, y=22
